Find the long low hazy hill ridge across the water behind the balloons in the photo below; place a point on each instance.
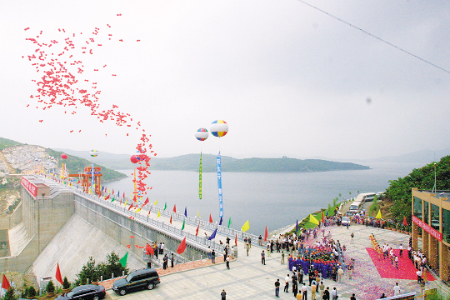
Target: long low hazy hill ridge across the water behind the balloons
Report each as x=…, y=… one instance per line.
x=190, y=162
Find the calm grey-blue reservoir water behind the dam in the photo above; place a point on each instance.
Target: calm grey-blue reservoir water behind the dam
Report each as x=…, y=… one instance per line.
x=274, y=200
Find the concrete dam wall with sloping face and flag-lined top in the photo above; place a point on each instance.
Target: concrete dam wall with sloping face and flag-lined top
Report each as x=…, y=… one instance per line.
x=58, y=223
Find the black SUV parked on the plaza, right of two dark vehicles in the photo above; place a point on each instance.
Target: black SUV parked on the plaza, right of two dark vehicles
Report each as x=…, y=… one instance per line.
x=137, y=280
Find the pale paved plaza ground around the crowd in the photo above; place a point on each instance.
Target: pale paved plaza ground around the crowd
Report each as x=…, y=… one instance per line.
x=249, y=279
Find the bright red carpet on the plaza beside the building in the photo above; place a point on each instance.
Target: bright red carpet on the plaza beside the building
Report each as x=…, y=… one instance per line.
x=405, y=269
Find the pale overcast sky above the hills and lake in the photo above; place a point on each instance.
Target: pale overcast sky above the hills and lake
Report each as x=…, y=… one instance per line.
x=288, y=79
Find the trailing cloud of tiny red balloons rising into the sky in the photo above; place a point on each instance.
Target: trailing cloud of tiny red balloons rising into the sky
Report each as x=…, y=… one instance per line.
x=60, y=83
